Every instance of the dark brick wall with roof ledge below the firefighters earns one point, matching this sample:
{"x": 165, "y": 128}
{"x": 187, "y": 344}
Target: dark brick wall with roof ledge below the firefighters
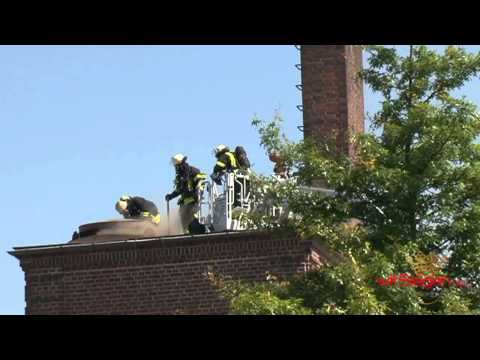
{"x": 156, "y": 276}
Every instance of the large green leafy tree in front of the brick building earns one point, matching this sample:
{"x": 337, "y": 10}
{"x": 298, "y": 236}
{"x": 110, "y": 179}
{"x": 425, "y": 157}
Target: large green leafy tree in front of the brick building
{"x": 414, "y": 187}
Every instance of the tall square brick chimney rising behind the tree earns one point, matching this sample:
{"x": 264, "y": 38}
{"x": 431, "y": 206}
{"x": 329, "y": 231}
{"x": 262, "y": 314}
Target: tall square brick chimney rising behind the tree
{"x": 333, "y": 106}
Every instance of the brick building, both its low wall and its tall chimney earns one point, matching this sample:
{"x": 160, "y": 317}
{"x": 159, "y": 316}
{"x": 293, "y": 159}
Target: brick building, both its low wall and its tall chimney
{"x": 166, "y": 275}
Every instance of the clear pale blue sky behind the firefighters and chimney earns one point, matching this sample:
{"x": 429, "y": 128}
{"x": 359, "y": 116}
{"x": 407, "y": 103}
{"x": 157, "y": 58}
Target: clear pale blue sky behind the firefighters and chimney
{"x": 82, "y": 125}
